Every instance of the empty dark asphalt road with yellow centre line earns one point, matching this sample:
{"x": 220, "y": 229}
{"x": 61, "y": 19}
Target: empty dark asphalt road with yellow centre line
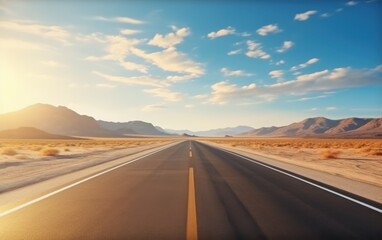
{"x": 193, "y": 191}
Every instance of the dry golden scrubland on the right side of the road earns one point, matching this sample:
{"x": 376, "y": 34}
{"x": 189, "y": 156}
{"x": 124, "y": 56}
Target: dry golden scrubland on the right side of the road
{"x": 357, "y": 159}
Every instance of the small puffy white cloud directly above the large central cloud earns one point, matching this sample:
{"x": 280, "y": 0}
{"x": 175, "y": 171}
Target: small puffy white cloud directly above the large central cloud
{"x": 171, "y": 39}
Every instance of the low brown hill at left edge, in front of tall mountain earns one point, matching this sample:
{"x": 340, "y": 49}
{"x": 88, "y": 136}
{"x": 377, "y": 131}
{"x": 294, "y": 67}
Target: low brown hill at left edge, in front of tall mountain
{"x": 30, "y": 133}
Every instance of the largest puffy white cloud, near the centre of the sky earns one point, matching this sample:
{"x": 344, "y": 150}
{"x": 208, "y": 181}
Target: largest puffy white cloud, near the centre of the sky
{"x": 171, "y": 60}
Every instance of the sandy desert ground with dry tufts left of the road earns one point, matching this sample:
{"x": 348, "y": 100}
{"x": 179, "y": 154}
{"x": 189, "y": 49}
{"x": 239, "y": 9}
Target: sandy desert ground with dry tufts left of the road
{"x": 24, "y": 162}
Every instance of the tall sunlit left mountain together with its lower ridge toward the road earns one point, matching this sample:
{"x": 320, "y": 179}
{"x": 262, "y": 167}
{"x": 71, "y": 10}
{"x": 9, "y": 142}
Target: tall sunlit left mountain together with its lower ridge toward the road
{"x": 64, "y": 121}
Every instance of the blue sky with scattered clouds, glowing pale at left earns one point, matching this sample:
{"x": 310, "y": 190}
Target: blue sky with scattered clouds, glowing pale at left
{"x": 194, "y": 65}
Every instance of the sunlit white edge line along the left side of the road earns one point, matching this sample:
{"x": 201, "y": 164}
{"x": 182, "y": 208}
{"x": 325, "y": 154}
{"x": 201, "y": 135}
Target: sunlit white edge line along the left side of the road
{"x": 74, "y": 184}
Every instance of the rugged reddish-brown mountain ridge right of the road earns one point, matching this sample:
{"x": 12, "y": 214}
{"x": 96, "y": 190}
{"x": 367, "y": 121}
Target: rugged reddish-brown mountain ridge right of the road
{"x": 320, "y": 126}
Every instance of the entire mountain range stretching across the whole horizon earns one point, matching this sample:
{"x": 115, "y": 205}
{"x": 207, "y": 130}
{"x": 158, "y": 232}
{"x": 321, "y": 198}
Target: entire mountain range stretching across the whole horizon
{"x": 47, "y": 121}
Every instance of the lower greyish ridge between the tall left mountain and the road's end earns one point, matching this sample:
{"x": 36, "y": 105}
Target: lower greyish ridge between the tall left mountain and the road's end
{"x": 131, "y": 127}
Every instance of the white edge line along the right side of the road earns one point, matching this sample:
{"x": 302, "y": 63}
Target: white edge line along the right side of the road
{"x": 305, "y": 181}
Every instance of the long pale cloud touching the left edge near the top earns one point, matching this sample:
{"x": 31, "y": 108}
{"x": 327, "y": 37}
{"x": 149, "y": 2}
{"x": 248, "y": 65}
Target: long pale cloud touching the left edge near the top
{"x": 53, "y": 32}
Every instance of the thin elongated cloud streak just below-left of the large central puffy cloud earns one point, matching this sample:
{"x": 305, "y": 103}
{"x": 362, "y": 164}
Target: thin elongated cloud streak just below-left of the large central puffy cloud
{"x": 140, "y": 80}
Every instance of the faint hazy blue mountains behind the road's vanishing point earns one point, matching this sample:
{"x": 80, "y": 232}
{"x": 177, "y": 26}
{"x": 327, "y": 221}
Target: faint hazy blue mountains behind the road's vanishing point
{"x": 219, "y": 132}
